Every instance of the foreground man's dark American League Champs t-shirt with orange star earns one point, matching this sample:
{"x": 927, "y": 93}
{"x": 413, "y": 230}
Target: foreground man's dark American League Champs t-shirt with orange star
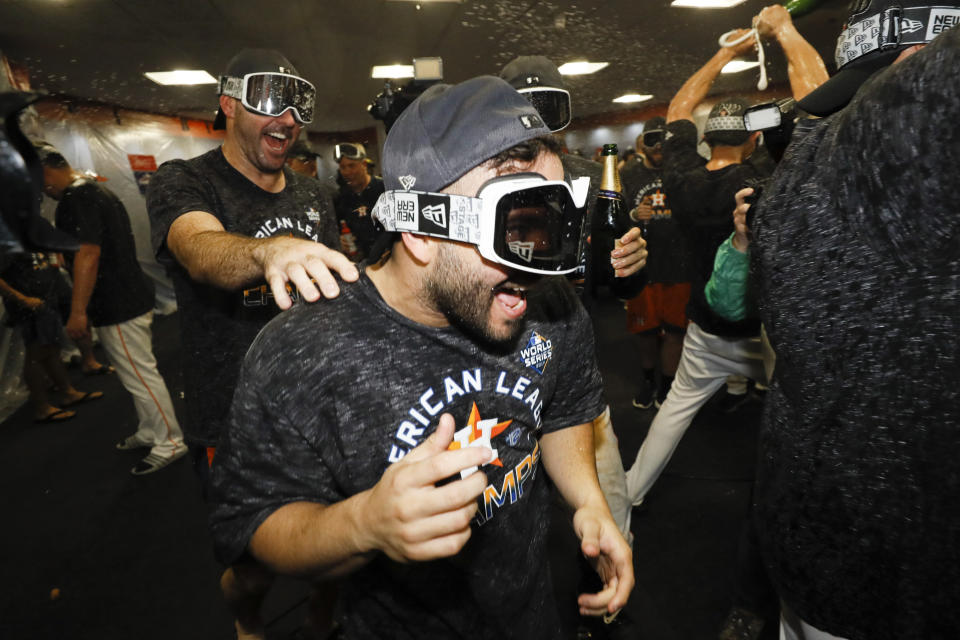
{"x": 332, "y": 393}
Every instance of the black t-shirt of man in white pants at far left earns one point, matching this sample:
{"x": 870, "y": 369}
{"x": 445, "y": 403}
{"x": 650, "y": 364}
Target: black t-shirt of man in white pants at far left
{"x": 94, "y": 215}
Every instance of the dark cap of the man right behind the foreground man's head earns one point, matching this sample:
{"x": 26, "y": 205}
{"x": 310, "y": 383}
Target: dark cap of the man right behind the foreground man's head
{"x": 538, "y": 80}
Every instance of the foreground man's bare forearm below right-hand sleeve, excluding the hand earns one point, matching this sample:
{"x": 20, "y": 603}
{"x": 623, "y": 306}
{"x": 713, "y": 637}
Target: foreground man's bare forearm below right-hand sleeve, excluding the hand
{"x": 568, "y": 456}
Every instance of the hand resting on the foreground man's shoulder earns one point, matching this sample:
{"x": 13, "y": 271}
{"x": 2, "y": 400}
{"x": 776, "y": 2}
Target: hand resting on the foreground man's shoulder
{"x": 301, "y": 263}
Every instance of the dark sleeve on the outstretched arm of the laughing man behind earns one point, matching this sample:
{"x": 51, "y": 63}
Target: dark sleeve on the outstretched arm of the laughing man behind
{"x": 175, "y": 190}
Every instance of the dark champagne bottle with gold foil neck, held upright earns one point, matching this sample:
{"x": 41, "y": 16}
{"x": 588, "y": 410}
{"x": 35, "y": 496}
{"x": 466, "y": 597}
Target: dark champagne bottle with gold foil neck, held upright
{"x": 610, "y": 221}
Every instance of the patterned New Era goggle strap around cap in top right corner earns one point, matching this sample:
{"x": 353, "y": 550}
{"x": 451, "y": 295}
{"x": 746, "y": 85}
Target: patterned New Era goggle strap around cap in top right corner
{"x": 892, "y": 28}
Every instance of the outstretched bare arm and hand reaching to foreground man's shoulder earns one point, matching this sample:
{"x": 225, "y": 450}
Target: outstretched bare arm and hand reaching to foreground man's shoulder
{"x": 212, "y": 255}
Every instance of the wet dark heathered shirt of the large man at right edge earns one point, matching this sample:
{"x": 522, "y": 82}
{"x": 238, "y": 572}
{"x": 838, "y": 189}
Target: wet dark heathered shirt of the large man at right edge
{"x": 856, "y": 244}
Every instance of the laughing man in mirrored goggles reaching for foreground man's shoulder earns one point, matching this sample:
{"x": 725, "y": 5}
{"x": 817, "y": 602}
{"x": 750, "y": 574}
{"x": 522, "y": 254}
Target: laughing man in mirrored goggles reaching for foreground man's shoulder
{"x": 242, "y": 234}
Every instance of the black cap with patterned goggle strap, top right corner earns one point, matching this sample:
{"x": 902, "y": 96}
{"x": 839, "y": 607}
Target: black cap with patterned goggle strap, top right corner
{"x": 876, "y": 32}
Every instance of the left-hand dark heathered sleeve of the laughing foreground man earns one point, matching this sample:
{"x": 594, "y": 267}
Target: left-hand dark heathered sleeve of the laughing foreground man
{"x": 263, "y": 460}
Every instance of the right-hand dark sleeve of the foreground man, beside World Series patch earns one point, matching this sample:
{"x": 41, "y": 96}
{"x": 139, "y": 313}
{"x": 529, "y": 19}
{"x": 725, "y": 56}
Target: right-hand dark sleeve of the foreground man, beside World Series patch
{"x": 579, "y": 394}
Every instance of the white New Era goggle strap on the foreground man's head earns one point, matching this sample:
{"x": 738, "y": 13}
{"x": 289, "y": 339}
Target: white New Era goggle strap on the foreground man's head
{"x": 459, "y": 215}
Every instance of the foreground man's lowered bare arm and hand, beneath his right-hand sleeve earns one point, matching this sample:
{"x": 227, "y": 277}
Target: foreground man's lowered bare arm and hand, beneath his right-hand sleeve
{"x": 568, "y": 457}
